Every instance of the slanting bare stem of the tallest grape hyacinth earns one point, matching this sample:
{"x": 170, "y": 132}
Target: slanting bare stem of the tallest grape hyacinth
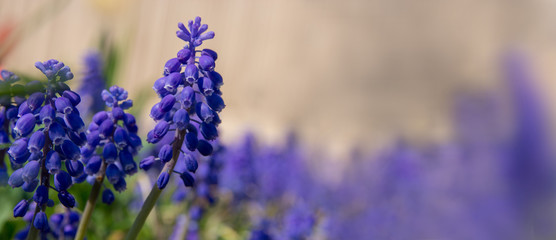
{"x": 155, "y": 192}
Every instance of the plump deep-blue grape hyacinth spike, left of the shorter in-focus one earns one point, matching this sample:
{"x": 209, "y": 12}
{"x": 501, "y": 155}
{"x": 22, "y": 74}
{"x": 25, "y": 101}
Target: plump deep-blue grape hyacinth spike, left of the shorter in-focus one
{"x": 48, "y": 133}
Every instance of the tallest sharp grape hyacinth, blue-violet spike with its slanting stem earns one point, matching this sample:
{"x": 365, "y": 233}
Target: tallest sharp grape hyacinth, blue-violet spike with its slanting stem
{"x": 190, "y": 101}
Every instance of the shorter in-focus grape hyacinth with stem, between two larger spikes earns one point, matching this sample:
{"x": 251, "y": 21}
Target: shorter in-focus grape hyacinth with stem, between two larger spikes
{"x": 114, "y": 134}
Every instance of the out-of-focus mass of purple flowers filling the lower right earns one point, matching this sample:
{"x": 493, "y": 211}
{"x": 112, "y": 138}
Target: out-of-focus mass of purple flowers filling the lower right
{"x": 491, "y": 181}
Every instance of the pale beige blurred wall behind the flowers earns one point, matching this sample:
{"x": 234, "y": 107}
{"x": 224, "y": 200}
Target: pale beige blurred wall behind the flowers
{"x": 340, "y": 72}
